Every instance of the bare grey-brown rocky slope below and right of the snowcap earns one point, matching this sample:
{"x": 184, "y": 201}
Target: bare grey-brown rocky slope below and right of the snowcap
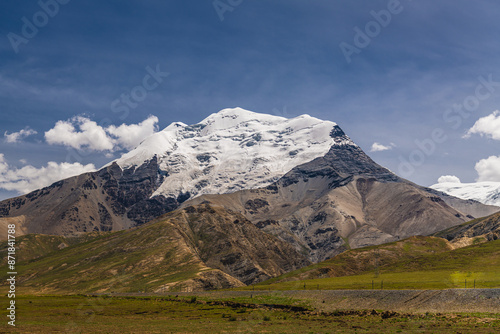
{"x": 340, "y": 201}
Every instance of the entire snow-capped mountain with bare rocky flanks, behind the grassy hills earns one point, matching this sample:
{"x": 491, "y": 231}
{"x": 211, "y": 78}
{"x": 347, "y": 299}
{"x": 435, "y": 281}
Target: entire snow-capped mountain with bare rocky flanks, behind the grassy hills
{"x": 302, "y": 180}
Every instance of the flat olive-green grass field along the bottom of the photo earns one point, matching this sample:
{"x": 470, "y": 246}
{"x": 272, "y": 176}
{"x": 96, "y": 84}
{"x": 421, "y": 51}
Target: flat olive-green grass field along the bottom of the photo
{"x": 271, "y": 314}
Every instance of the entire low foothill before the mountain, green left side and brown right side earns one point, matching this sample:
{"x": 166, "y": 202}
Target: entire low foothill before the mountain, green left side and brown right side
{"x": 196, "y": 248}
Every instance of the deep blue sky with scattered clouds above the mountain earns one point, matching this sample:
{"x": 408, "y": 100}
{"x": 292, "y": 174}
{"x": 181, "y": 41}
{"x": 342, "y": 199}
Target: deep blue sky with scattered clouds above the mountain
{"x": 280, "y": 57}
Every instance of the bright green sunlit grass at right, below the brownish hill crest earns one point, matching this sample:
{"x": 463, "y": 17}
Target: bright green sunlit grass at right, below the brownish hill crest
{"x": 474, "y": 266}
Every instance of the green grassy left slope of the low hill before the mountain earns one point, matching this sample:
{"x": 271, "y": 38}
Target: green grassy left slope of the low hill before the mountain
{"x": 115, "y": 262}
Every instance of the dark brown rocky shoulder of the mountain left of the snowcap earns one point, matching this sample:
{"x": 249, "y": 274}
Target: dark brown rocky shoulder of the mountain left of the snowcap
{"x": 108, "y": 200}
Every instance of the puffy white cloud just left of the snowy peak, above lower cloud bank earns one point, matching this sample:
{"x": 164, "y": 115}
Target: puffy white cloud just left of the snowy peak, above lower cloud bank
{"x": 81, "y": 132}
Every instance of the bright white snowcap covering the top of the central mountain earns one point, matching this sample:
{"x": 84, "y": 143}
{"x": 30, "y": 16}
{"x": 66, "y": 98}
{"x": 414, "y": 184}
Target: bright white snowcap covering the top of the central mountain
{"x": 233, "y": 149}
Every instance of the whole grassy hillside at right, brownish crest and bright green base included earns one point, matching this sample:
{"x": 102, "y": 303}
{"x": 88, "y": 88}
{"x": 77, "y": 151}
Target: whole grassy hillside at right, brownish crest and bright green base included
{"x": 436, "y": 267}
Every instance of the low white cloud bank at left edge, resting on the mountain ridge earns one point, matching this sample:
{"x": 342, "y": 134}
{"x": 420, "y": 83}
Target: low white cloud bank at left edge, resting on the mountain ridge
{"x": 28, "y": 178}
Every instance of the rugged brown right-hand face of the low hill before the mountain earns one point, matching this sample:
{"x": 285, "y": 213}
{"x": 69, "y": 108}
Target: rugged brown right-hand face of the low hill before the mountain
{"x": 227, "y": 241}
